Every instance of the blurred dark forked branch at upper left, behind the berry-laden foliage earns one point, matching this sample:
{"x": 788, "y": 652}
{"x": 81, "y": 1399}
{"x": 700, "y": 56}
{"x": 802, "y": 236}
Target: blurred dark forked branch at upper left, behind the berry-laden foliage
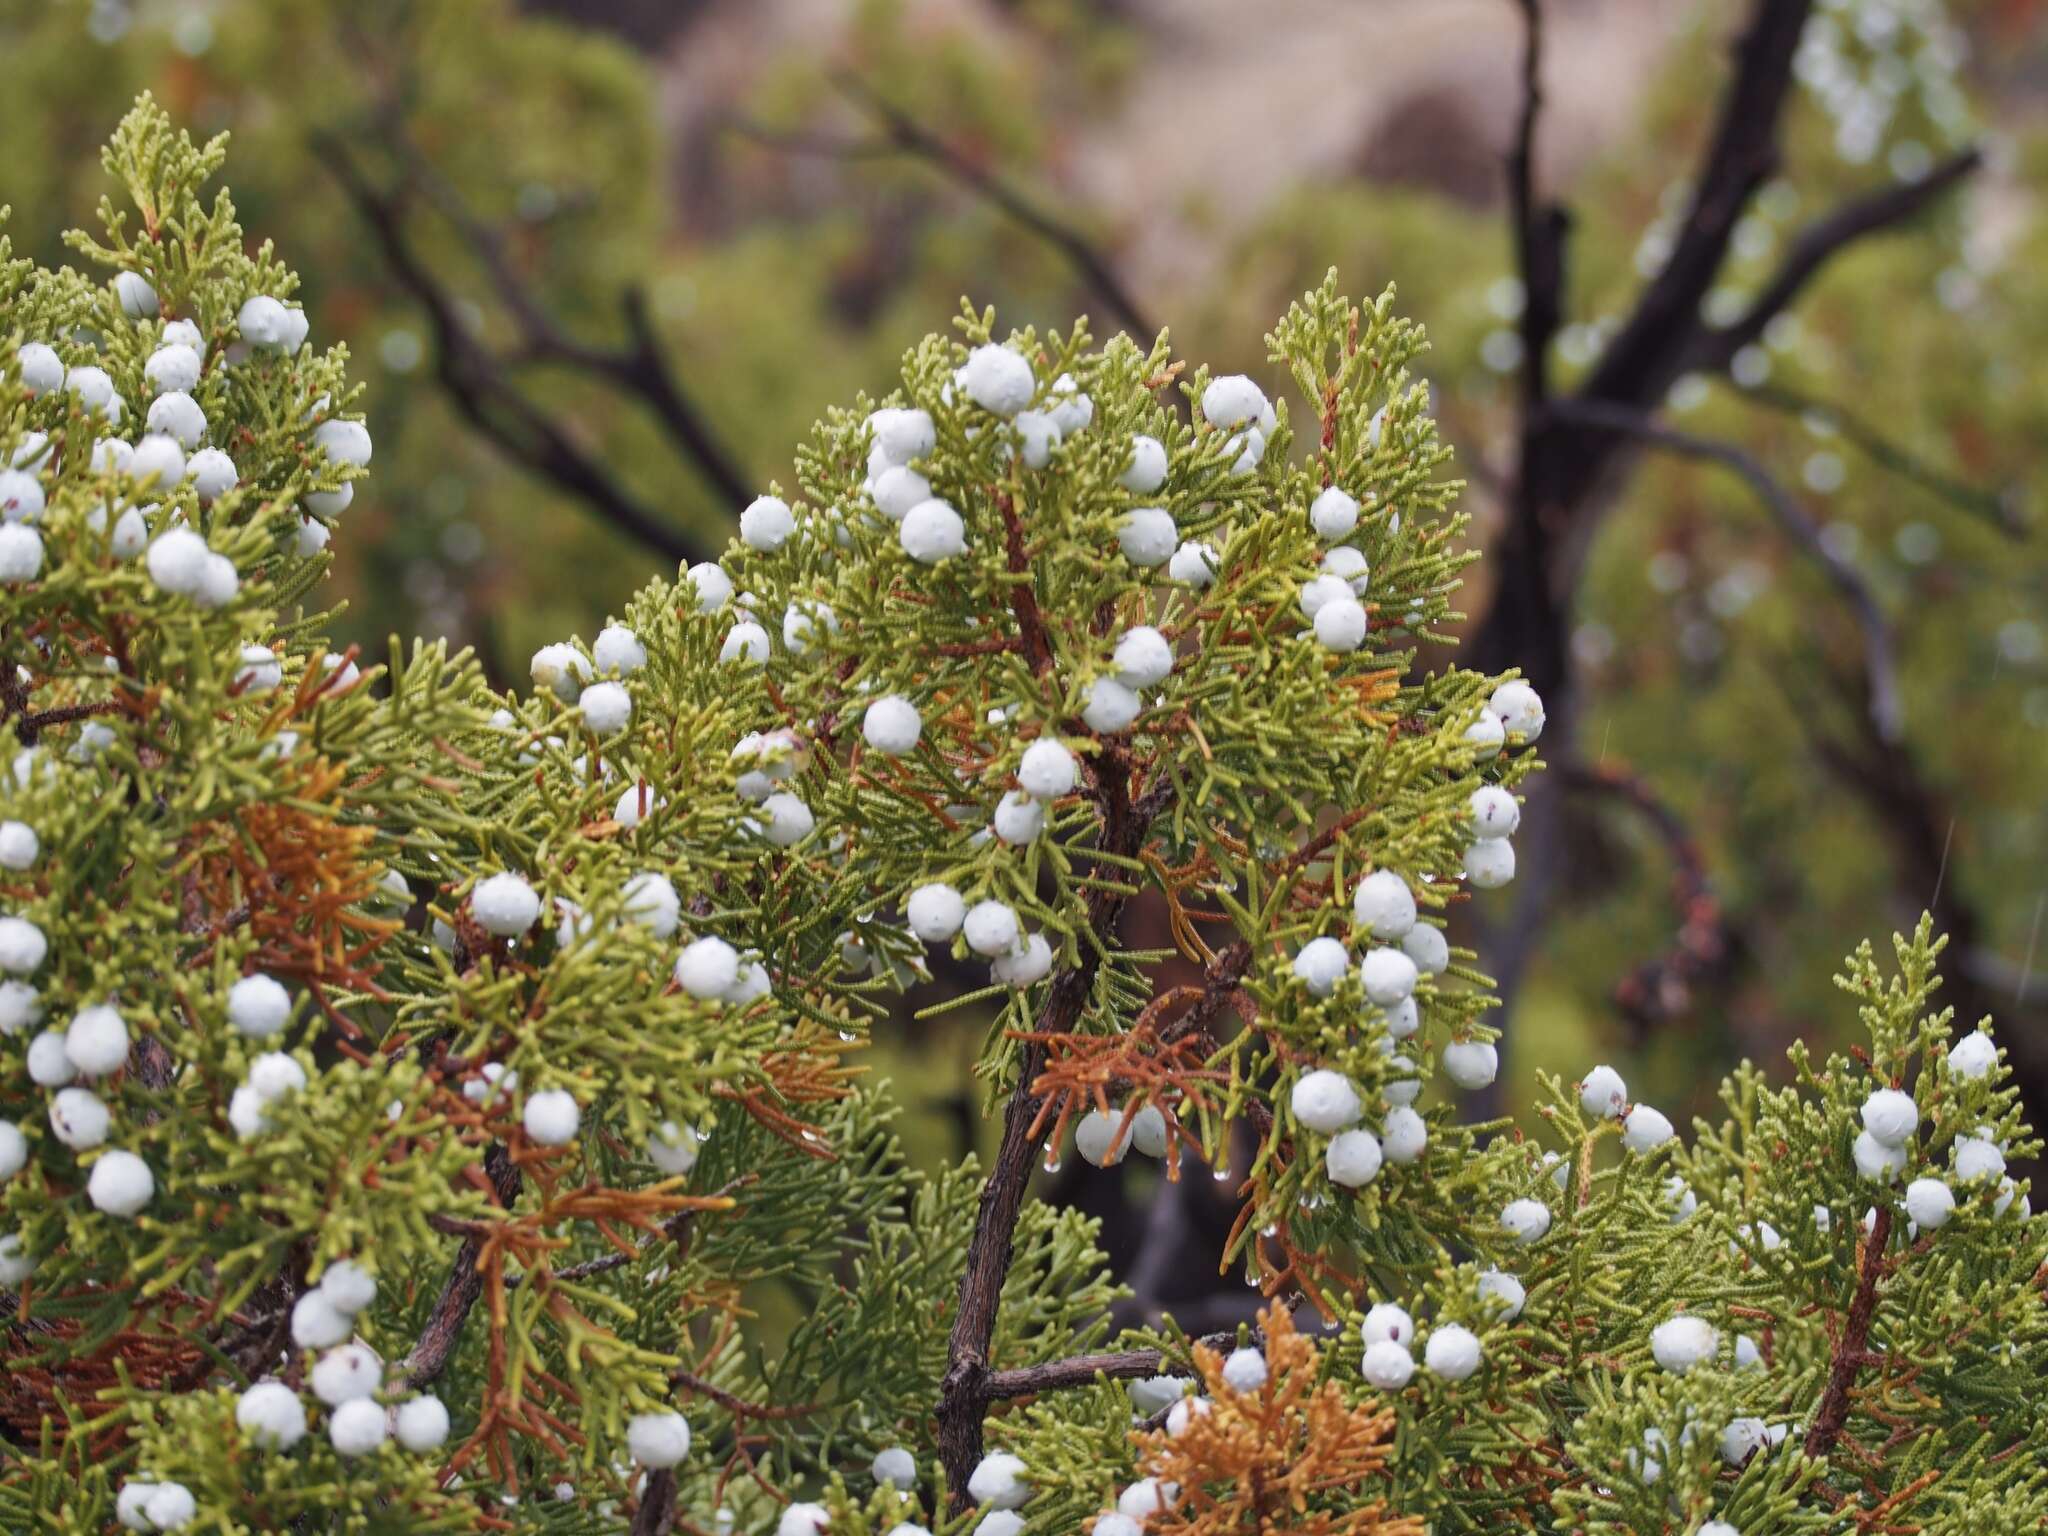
{"x": 484, "y": 390}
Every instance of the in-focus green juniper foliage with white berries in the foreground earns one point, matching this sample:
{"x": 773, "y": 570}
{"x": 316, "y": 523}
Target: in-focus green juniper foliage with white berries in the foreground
{"x": 409, "y": 1095}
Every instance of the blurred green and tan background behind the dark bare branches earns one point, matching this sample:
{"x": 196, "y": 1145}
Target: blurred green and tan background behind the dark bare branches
{"x": 728, "y": 163}
